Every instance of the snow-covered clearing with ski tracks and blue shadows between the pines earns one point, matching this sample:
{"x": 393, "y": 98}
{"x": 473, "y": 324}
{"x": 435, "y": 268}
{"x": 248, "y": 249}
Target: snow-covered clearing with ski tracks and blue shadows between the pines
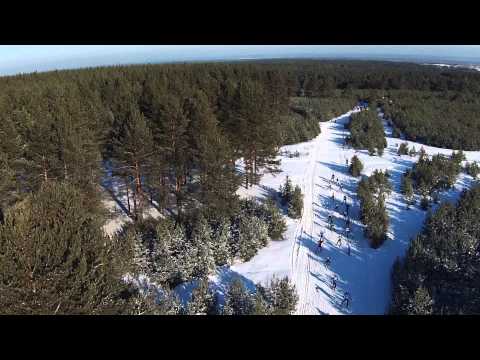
{"x": 364, "y": 274}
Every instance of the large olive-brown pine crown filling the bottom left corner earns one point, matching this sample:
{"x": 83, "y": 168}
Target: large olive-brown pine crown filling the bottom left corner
{"x": 55, "y": 258}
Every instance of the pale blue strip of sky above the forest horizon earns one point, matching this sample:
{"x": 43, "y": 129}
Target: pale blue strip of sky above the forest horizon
{"x": 16, "y": 59}
